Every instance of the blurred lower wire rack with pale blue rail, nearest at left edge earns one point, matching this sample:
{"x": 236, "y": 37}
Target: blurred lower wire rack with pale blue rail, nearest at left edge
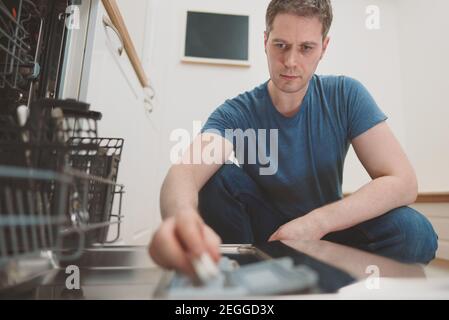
{"x": 32, "y": 207}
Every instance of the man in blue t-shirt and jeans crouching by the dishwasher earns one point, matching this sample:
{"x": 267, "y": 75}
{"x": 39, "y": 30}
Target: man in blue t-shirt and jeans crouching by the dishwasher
{"x": 317, "y": 118}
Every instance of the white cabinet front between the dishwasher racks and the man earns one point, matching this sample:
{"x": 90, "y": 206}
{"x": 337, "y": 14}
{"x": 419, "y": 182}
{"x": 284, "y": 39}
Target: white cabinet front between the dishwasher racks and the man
{"x": 111, "y": 86}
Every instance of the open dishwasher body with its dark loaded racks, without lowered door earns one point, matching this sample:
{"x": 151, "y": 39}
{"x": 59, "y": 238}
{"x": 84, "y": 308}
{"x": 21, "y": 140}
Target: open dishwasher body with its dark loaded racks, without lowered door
{"x": 59, "y": 195}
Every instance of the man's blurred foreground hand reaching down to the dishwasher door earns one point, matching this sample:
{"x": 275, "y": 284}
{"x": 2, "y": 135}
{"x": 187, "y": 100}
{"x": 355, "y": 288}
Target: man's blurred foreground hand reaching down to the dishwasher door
{"x": 181, "y": 238}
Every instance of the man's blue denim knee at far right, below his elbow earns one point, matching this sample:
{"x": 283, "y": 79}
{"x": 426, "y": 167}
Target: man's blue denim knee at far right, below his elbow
{"x": 408, "y": 233}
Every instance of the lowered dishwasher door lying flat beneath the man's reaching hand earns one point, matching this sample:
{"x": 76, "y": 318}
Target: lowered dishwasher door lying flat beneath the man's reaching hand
{"x": 253, "y": 271}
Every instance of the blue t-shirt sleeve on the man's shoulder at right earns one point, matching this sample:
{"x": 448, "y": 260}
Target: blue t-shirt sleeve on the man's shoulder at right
{"x": 363, "y": 113}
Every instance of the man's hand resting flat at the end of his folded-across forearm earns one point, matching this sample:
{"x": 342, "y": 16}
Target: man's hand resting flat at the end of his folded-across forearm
{"x": 304, "y": 228}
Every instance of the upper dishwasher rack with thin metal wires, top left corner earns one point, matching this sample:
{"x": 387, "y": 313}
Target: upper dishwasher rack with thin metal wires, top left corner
{"x": 33, "y": 44}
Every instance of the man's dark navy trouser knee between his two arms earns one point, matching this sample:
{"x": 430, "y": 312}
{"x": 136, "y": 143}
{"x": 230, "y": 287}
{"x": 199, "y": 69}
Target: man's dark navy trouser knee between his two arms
{"x": 234, "y": 205}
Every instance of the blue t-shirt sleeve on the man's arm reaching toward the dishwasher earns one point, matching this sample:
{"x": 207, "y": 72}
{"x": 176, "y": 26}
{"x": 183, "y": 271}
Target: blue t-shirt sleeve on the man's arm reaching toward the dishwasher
{"x": 224, "y": 118}
